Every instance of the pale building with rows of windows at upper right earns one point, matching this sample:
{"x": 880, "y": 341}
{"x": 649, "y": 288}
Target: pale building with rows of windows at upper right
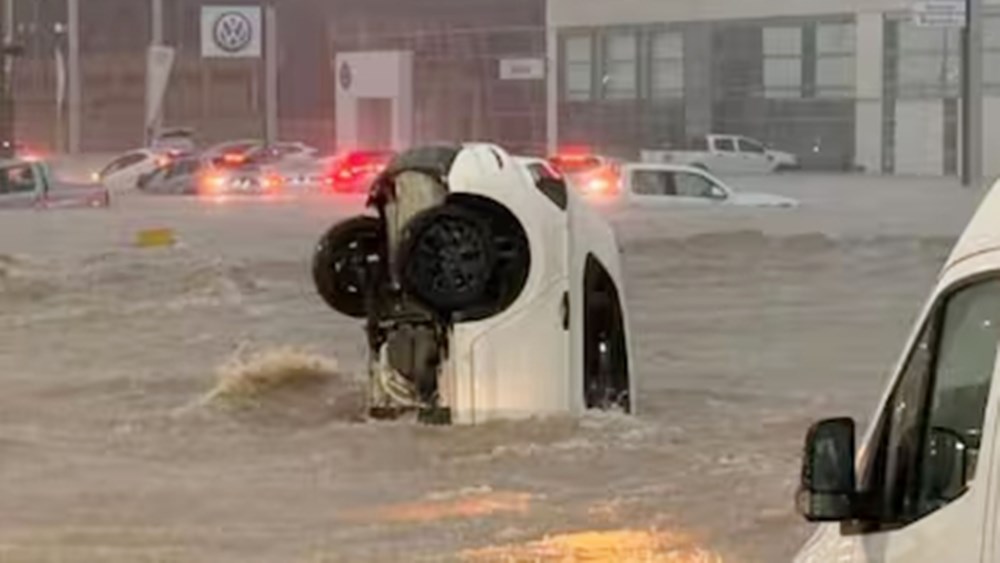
{"x": 846, "y": 84}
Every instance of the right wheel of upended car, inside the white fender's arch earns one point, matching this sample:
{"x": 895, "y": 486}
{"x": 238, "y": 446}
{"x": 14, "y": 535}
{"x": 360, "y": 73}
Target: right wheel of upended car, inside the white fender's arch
{"x": 447, "y": 259}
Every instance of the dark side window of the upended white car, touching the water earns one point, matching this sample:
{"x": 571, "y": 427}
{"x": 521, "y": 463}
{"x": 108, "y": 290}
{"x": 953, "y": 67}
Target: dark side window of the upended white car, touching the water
{"x": 606, "y": 366}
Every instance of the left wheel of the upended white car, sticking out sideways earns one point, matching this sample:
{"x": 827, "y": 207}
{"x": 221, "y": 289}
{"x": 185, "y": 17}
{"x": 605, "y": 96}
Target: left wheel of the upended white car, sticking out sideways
{"x": 340, "y": 260}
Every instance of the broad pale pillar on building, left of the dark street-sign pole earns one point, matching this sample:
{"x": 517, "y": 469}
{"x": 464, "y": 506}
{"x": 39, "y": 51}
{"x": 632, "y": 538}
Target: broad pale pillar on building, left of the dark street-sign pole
{"x": 868, "y": 84}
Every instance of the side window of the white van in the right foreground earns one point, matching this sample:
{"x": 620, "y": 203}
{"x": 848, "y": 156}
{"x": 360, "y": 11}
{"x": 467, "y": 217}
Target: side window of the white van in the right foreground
{"x": 937, "y": 410}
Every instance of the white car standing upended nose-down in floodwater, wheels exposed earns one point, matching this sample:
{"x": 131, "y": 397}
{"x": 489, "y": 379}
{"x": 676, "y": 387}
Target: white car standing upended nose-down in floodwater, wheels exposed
{"x": 489, "y": 291}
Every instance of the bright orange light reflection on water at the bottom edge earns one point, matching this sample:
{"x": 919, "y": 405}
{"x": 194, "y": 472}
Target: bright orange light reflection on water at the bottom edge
{"x": 615, "y": 546}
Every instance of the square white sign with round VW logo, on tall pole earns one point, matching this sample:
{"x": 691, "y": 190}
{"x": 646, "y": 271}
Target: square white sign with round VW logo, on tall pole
{"x": 231, "y": 31}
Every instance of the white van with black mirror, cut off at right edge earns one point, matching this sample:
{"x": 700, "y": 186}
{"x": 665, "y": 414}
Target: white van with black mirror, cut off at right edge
{"x": 925, "y": 486}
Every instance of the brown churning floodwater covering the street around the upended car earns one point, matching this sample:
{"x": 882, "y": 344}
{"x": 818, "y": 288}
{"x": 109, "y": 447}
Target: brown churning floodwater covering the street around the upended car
{"x": 200, "y": 403}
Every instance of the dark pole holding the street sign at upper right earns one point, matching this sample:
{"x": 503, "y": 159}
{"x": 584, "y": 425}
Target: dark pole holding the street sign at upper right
{"x": 972, "y": 94}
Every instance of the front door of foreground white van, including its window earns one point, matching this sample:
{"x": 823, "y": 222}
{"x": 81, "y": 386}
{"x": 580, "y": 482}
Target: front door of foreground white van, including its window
{"x": 925, "y": 471}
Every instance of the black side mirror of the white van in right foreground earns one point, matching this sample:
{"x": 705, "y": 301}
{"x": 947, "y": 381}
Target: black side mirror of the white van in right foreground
{"x": 828, "y": 485}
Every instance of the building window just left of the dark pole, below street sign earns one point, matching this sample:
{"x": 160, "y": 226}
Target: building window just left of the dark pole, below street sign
{"x": 928, "y": 61}
